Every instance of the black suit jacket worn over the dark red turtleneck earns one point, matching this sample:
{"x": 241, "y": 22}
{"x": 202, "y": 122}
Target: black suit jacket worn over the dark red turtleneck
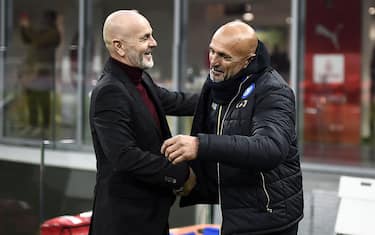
{"x": 133, "y": 192}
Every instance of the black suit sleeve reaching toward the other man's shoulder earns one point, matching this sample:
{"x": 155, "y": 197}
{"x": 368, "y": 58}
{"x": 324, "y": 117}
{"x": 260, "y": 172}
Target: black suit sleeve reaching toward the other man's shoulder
{"x": 177, "y": 103}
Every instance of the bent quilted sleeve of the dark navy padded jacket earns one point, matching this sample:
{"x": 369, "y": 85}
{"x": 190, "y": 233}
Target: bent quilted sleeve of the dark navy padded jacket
{"x": 270, "y": 138}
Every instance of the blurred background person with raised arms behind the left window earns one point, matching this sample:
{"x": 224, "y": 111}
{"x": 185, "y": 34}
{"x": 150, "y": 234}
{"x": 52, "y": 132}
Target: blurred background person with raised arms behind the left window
{"x": 38, "y": 72}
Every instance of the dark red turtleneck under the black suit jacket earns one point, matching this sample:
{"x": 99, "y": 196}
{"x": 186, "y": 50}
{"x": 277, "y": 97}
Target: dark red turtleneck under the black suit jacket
{"x": 135, "y": 74}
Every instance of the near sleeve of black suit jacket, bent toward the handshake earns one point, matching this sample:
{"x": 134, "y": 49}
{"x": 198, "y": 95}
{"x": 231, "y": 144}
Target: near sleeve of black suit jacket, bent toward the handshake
{"x": 112, "y": 123}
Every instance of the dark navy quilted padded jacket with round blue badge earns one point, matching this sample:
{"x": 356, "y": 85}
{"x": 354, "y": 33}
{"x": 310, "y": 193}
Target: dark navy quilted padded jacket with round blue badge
{"x": 248, "y": 159}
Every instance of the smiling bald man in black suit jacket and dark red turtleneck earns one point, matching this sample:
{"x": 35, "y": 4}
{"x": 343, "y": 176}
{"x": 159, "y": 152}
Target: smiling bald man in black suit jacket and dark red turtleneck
{"x": 135, "y": 184}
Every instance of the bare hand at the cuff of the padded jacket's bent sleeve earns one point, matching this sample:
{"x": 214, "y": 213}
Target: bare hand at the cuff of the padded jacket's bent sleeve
{"x": 180, "y": 148}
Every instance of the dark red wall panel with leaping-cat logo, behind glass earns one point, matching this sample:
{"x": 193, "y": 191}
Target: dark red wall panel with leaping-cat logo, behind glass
{"x": 336, "y": 118}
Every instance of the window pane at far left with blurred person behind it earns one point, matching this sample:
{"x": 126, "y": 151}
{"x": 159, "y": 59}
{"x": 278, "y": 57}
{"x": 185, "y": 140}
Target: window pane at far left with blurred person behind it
{"x": 39, "y": 83}
